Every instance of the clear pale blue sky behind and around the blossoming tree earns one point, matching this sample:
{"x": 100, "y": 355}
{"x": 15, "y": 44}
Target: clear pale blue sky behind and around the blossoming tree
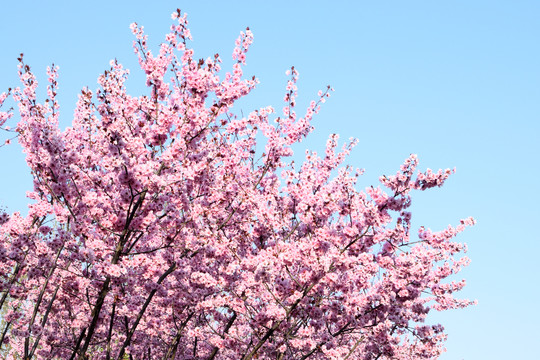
{"x": 456, "y": 82}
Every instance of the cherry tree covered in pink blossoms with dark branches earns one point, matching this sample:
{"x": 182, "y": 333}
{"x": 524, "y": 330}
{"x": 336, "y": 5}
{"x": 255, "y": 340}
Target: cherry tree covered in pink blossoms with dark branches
{"x": 164, "y": 226}
